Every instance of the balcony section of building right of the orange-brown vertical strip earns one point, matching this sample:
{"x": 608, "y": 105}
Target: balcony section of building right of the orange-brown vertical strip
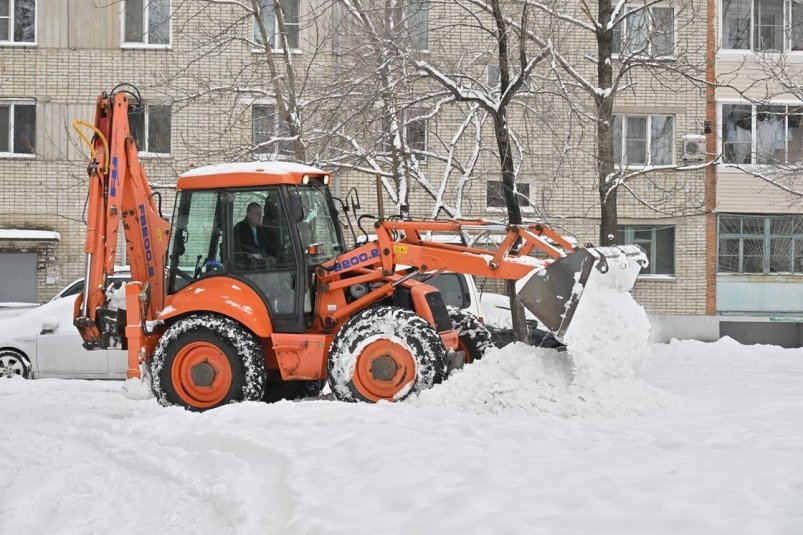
{"x": 759, "y": 266}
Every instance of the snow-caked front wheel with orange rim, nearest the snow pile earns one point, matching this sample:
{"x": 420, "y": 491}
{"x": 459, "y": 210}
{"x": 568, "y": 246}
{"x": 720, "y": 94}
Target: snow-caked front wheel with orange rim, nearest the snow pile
{"x": 408, "y": 334}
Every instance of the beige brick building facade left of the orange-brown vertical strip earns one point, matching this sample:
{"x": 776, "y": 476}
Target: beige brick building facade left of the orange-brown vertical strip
{"x": 56, "y": 56}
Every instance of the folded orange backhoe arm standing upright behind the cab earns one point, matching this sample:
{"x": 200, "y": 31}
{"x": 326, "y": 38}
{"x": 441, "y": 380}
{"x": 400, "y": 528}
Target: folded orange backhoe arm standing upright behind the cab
{"x": 119, "y": 192}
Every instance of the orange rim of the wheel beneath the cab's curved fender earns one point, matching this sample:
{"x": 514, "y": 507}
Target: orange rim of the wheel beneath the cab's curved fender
{"x": 201, "y": 374}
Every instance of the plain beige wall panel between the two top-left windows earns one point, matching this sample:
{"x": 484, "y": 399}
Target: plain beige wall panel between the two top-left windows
{"x": 94, "y": 25}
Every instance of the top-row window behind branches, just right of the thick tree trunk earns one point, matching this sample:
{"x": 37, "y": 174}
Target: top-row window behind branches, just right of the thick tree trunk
{"x": 646, "y": 32}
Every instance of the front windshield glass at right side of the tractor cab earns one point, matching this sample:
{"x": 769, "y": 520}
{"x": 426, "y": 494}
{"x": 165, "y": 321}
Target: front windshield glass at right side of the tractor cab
{"x": 318, "y": 224}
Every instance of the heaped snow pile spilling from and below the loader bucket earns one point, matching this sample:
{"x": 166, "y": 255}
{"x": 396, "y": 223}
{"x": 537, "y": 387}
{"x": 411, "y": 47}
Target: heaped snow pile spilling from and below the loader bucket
{"x": 607, "y": 338}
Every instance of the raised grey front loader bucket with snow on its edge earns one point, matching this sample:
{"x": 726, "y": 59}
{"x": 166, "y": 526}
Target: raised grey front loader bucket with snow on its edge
{"x": 552, "y": 293}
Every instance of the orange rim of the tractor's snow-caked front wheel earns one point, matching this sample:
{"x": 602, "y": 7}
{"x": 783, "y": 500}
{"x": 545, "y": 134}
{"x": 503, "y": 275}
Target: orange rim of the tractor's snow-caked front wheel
{"x": 383, "y": 369}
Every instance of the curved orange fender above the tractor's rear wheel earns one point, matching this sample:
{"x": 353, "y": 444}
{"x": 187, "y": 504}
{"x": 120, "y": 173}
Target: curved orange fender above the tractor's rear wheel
{"x": 225, "y": 296}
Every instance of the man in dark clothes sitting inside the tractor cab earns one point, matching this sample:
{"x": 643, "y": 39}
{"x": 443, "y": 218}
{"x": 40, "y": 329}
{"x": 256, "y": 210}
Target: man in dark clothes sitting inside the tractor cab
{"x": 254, "y": 247}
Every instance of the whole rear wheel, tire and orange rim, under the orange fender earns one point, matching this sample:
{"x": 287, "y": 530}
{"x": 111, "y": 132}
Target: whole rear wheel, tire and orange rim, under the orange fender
{"x": 227, "y": 343}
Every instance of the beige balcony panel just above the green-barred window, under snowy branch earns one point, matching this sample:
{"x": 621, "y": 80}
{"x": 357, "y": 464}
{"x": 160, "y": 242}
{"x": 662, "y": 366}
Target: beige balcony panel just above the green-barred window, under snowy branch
{"x": 742, "y": 193}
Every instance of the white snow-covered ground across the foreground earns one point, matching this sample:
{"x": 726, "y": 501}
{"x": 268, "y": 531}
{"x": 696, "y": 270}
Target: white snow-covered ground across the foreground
{"x": 708, "y": 438}
